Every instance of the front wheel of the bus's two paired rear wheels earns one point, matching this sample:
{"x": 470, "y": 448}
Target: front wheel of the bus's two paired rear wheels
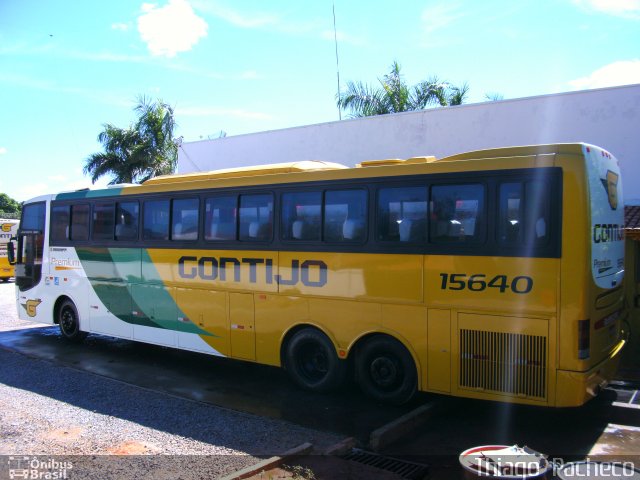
{"x": 311, "y": 361}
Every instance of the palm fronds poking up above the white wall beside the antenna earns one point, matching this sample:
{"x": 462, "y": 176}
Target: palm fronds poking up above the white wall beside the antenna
{"x": 394, "y": 95}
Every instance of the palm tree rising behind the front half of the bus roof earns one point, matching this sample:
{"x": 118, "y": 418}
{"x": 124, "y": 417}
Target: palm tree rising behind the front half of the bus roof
{"x": 142, "y": 151}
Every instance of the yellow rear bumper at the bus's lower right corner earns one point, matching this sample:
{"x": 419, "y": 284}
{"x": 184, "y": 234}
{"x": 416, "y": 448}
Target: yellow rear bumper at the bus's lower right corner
{"x": 576, "y": 388}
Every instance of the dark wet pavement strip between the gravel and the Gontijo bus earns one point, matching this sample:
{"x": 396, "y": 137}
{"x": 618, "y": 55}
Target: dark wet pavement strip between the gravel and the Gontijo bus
{"x": 240, "y": 386}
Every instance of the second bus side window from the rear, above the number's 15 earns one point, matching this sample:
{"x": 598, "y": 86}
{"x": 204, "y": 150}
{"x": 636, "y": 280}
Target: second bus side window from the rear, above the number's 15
{"x": 457, "y": 213}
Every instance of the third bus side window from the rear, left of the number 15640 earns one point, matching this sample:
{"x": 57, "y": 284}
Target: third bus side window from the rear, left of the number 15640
{"x": 402, "y": 214}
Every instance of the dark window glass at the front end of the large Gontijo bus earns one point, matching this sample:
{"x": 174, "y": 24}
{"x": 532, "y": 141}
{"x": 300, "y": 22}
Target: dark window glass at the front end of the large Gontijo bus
{"x": 28, "y": 271}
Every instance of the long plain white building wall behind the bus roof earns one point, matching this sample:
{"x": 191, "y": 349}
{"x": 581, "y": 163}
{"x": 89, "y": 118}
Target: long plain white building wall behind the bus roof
{"x": 609, "y": 118}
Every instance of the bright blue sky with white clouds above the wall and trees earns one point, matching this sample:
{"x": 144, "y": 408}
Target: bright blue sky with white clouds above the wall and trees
{"x": 67, "y": 67}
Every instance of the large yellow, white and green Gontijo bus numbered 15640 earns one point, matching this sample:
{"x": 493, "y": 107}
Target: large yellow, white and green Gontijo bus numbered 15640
{"x": 493, "y": 274}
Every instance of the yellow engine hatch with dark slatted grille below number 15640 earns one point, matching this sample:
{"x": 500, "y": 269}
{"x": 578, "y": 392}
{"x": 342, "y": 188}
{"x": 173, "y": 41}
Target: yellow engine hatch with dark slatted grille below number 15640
{"x": 504, "y": 362}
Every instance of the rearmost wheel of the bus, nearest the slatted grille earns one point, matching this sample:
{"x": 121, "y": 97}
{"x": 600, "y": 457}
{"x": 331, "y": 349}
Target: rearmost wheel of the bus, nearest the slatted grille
{"x": 385, "y": 370}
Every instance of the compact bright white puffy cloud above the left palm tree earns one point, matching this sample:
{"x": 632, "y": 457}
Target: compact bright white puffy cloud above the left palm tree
{"x": 171, "y": 29}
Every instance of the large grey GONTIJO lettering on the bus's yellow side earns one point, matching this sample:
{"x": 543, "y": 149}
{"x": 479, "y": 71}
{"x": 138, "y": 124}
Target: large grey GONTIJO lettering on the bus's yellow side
{"x": 311, "y": 273}
